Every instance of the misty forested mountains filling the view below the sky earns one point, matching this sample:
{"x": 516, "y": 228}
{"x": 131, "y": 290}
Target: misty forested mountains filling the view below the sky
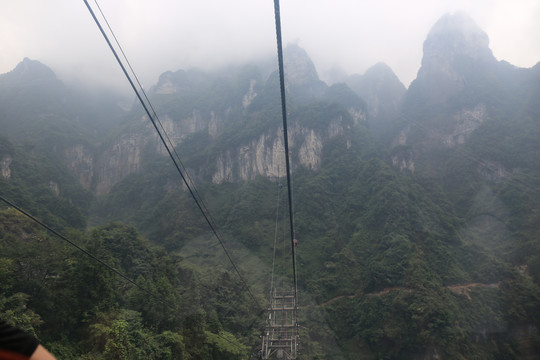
{"x": 416, "y": 213}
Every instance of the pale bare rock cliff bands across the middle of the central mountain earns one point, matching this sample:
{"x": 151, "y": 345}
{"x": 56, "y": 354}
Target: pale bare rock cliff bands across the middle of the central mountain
{"x": 261, "y": 156}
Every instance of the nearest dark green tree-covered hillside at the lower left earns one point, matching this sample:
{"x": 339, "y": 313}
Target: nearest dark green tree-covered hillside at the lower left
{"x": 79, "y": 309}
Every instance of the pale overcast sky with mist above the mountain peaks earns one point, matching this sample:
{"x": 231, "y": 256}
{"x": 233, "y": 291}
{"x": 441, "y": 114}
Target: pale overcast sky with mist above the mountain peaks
{"x": 161, "y": 35}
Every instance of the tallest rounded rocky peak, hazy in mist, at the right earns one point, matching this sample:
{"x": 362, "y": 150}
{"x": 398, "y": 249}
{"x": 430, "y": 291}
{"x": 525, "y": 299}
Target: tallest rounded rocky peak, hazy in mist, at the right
{"x": 459, "y": 87}
